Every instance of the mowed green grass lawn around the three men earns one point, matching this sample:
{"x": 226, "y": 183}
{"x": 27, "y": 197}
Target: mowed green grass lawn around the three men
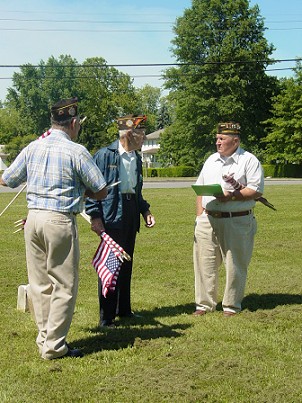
{"x": 168, "y": 355}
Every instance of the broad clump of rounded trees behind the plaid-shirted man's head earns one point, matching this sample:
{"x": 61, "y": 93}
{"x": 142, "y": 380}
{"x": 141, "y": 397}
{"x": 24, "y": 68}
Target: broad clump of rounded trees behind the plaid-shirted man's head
{"x": 103, "y": 94}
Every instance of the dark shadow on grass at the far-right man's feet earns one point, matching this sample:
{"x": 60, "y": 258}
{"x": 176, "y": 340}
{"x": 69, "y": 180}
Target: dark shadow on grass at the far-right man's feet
{"x": 253, "y": 302}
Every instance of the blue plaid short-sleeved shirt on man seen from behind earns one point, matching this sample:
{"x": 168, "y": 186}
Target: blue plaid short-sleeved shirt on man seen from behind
{"x": 57, "y": 172}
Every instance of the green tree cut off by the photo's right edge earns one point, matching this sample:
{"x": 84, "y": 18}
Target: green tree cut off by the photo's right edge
{"x": 284, "y": 141}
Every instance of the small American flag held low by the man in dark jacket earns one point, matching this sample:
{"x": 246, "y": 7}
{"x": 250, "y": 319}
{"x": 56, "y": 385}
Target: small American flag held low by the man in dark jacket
{"x": 107, "y": 262}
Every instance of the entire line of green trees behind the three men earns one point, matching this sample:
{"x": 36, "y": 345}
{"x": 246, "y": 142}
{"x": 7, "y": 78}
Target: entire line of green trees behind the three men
{"x": 222, "y": 56}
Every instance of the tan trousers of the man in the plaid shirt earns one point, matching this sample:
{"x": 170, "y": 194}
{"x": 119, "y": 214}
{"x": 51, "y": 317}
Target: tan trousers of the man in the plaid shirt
{"x": 52, "y": 254}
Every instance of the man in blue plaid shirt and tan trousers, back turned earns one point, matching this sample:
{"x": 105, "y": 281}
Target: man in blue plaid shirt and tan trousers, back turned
{"x": 59, "y": 174}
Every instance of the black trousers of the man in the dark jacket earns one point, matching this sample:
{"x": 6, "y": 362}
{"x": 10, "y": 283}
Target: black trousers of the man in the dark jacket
{"x": 118, "y": 303}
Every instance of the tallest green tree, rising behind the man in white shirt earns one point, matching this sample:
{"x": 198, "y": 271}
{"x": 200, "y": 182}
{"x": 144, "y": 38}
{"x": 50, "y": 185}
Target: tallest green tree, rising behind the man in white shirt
{"x": 222, "y": 56}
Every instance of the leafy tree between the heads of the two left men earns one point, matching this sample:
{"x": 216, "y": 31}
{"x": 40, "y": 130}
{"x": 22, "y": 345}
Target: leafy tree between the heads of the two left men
{"x": 107, "y": 94}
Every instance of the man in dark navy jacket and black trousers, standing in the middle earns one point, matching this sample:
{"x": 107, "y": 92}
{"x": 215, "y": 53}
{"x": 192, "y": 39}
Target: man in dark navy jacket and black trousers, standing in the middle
{"x": 119, "y": 213}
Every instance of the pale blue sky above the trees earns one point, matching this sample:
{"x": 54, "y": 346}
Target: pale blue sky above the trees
{"x": 122, "y": 32}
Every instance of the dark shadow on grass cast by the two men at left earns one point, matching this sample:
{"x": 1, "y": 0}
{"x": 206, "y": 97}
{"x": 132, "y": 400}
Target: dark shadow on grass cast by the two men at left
{"x": 135, "y": 332}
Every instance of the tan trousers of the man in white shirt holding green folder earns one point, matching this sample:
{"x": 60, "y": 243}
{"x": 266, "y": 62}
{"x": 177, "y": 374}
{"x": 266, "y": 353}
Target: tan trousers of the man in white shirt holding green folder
{"x": 217, "y": 240}
